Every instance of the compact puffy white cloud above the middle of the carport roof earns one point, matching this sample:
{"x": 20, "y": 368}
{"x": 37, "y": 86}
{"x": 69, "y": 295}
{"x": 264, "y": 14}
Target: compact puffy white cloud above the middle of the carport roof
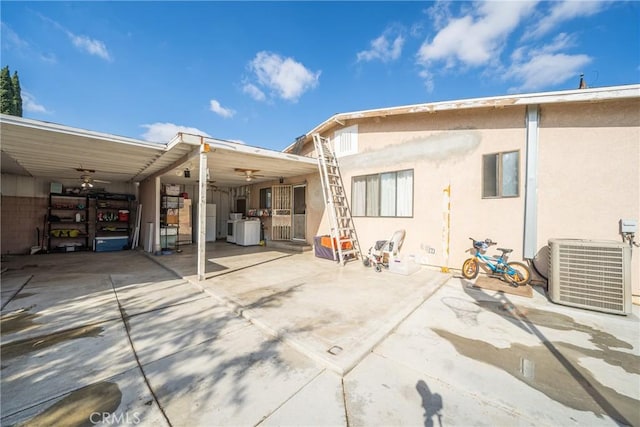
{"x": 285, "y": 77}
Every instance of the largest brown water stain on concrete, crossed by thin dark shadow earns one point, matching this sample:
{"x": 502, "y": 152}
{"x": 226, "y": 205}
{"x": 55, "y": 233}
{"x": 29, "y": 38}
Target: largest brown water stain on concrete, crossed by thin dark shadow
{"x": 553, "y": 369}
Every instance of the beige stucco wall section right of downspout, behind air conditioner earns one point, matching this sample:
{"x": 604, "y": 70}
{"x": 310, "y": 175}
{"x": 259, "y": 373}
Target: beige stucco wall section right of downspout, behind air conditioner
{"x": 589, "y": 173}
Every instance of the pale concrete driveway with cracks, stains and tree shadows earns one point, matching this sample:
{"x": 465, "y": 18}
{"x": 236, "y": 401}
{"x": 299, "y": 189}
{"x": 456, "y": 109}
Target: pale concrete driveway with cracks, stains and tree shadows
{"x": 279, "y": 338}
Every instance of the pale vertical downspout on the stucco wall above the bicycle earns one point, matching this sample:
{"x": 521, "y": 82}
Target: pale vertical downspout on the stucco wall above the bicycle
{"x": 530, "y": 245}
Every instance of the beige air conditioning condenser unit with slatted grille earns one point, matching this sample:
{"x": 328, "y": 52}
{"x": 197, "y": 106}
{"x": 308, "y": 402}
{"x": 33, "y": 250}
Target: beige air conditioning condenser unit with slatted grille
{"x": 592, "y": 274}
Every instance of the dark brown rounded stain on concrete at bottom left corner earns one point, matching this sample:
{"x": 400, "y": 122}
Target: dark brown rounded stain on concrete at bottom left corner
{"x": 84, "y": 407}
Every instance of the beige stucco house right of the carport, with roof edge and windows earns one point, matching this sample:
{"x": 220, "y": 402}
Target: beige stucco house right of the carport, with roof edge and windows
{"x": 518, "y": 169}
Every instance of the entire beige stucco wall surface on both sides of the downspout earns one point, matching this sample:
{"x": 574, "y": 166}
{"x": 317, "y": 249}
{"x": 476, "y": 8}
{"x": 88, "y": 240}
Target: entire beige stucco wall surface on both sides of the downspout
{"x": 588, "y": 176}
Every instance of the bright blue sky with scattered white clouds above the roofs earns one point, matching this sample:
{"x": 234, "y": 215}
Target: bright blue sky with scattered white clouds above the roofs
{"x": 263, "y": 73}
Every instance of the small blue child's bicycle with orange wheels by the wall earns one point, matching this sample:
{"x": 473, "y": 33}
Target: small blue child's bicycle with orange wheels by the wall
{"x": 514, "y": 272}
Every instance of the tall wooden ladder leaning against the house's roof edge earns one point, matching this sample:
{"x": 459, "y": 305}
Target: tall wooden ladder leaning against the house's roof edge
{"x": 343, "y": 231}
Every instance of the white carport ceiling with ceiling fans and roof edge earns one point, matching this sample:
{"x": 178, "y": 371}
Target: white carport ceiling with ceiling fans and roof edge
{"x": 51, "y": 151}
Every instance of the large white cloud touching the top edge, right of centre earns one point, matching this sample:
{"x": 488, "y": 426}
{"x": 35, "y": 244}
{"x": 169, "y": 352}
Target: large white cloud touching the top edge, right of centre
{"x": 477, "y": 38}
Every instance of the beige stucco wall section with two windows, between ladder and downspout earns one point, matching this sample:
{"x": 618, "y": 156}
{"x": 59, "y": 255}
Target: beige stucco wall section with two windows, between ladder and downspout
{"x": 443, "y": 149}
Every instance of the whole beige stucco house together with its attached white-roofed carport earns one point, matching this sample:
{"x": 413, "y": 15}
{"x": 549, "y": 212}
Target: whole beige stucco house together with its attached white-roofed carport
{"x": 519, "y": 169}
